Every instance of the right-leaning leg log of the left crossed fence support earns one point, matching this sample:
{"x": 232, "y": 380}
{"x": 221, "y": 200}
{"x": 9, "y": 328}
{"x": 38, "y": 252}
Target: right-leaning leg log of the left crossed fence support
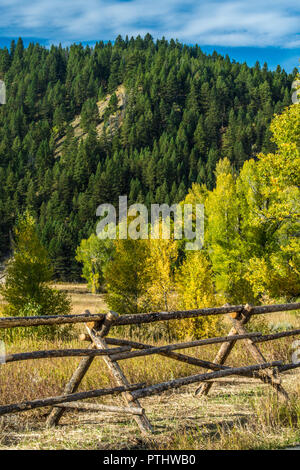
{"x": 116, "y": 371}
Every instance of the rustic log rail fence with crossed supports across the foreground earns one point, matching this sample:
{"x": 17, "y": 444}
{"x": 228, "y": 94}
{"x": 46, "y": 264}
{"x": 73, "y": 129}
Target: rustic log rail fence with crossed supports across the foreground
{"x": 114, "y": 350}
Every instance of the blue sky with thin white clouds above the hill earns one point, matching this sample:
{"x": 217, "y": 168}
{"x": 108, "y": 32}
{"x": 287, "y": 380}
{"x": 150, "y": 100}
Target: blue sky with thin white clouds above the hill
{"x": 264, "y": 30}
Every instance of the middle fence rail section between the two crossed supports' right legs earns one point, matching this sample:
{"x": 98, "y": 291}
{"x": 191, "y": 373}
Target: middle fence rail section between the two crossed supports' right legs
{"x": 189, "y": 344}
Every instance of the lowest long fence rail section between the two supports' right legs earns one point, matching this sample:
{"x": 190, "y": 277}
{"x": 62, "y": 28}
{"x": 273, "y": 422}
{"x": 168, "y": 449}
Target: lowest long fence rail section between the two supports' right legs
{"x": 176, "y": 383}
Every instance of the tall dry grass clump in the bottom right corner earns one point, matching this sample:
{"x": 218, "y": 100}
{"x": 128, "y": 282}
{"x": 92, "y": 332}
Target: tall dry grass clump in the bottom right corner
{"x": 274, "y": 424}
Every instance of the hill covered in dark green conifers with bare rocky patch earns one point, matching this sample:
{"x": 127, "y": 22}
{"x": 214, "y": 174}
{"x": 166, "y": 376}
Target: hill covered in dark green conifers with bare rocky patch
{"x": 183, "y": 110}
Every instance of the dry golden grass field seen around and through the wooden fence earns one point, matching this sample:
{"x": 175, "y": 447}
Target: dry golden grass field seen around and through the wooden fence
{"x": 239, "y": 413}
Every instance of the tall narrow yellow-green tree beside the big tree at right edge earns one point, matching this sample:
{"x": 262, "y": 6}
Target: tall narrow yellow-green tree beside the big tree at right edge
{"x": 226, "y": 246}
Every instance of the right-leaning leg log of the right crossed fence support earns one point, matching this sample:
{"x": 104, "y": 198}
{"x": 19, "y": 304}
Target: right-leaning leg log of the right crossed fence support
{"x": 272, "y": 376}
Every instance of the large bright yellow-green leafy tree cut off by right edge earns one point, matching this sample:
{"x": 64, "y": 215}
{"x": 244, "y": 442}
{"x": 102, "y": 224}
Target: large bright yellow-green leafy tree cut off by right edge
{"x": 274, "y": 208}
